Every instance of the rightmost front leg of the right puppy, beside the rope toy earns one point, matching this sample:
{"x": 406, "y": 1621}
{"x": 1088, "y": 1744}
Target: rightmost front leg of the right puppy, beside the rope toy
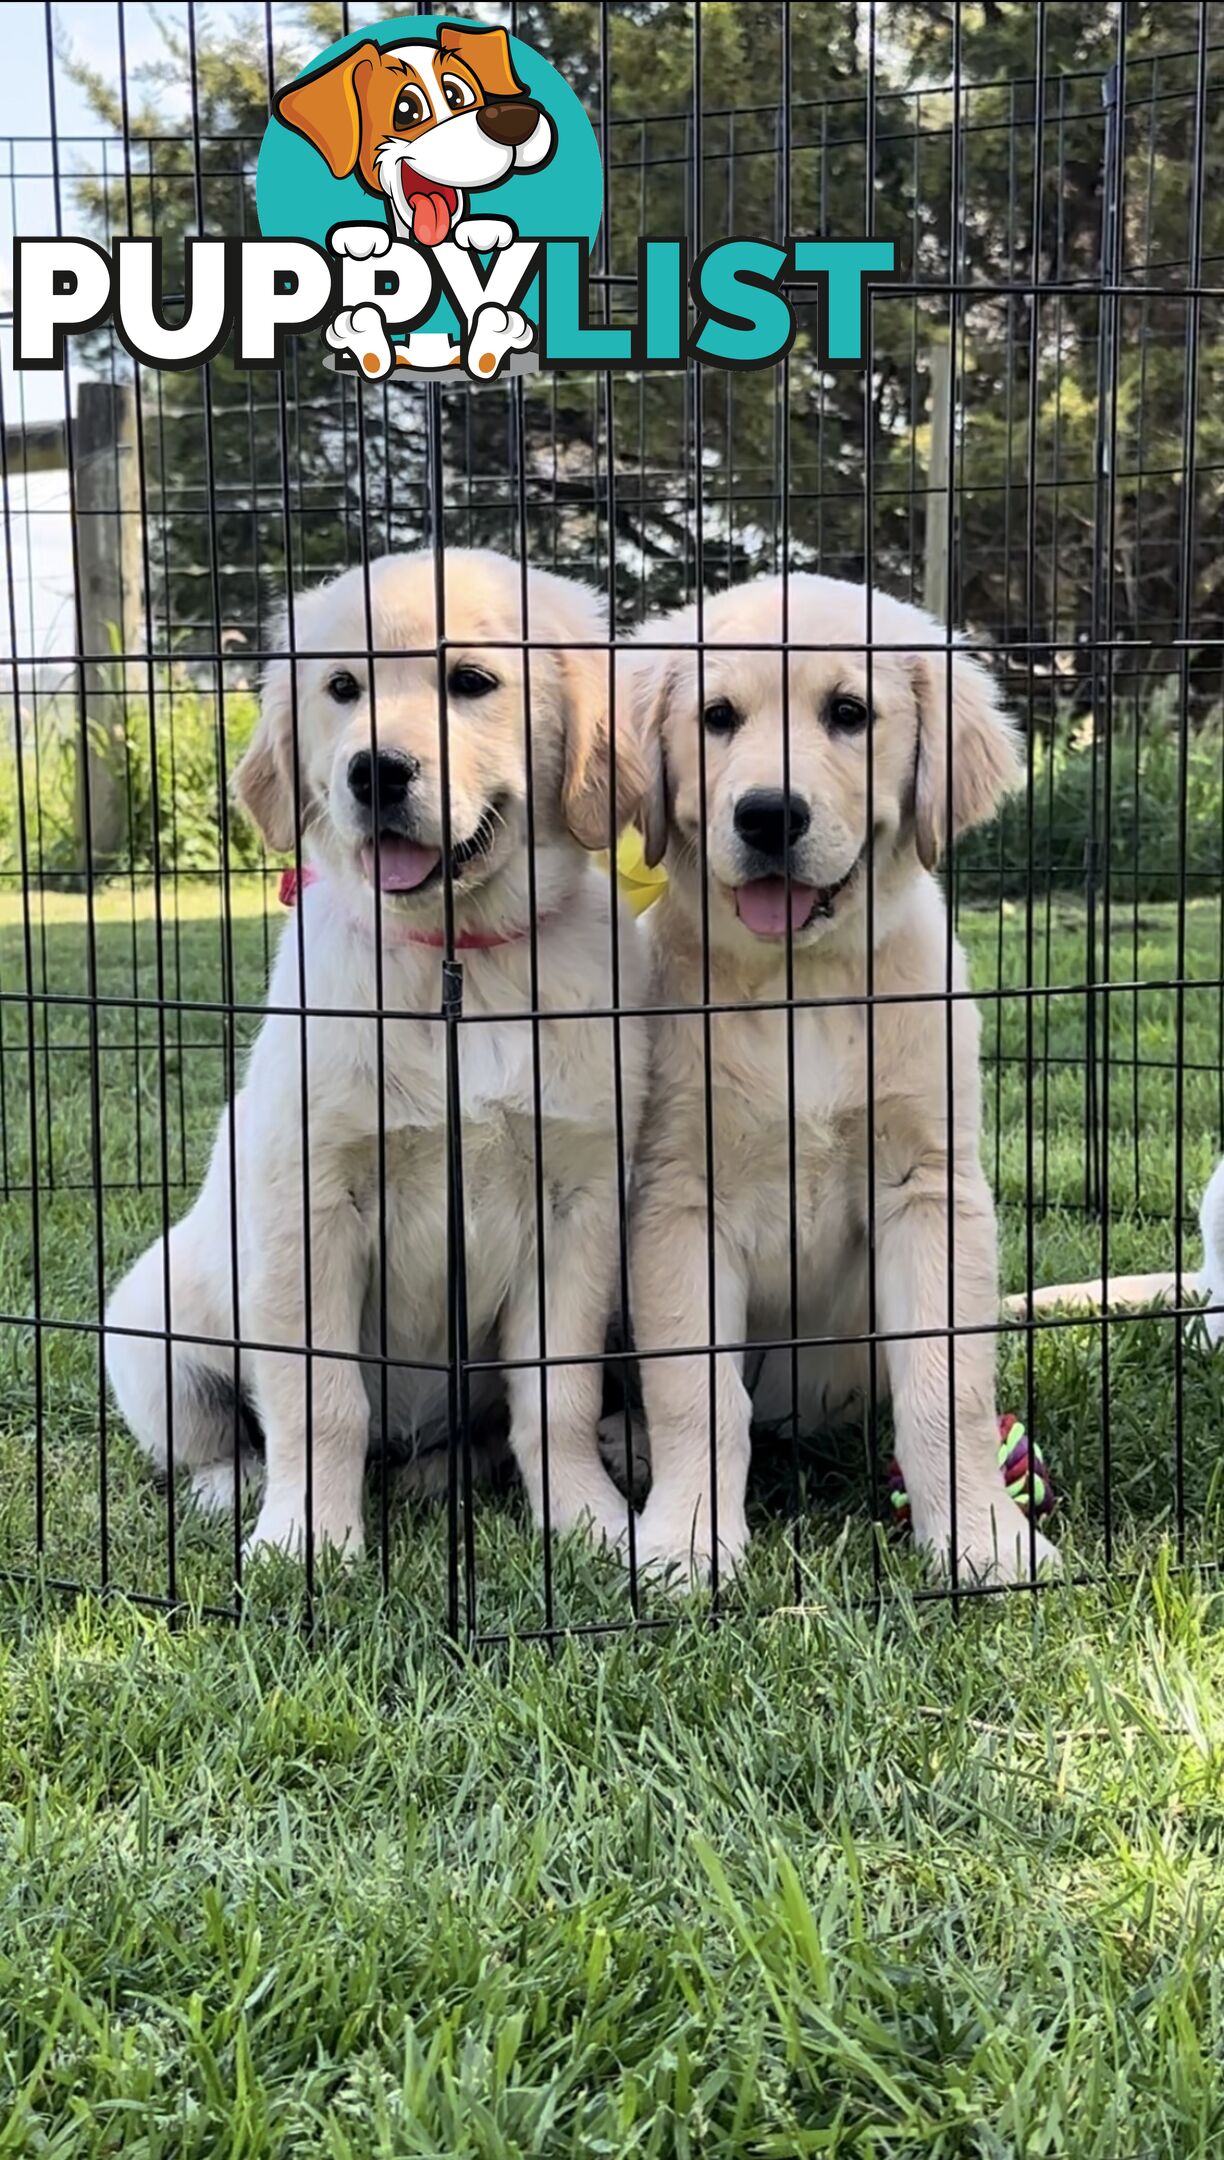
{"x": 992, "y": 1533}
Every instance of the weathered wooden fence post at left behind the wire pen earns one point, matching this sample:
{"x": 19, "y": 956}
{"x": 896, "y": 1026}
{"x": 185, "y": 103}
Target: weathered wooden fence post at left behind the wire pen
{"x": 111, "y": 610}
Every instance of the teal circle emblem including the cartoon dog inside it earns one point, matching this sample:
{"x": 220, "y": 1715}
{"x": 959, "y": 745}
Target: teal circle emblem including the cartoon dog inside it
{"x": 420, "y": 152}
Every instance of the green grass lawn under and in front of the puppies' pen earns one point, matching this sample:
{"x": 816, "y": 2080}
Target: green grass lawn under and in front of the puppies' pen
{"x": 849, "y": 1874}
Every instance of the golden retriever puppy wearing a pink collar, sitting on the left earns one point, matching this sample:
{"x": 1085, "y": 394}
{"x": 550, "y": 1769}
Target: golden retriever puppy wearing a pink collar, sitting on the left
{"x": 325, "y": 1247}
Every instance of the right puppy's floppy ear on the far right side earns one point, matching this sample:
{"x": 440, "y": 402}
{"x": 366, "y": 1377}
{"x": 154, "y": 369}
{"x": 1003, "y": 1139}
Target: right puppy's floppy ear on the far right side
{"x": 985, "y": 759}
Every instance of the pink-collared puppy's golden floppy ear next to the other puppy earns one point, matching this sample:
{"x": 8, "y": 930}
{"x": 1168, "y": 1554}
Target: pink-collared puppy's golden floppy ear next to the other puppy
{"x": 562, "y": 608}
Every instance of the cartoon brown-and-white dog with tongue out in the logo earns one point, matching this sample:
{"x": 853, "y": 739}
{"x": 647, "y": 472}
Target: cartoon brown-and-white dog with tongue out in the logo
{"x": 424, "y": 126}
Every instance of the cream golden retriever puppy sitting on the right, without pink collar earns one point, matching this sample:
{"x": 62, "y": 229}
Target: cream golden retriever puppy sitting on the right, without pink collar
{"x": 770, "y": 798}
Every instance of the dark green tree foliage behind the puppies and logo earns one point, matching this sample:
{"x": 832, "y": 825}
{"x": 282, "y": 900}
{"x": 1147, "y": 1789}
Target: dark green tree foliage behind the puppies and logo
{"x": 1055, "y": 375}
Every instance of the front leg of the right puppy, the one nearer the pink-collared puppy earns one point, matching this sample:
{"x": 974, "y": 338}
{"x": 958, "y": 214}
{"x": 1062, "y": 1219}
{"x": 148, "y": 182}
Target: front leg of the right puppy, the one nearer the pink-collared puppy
{"x": 670, "y": 1312}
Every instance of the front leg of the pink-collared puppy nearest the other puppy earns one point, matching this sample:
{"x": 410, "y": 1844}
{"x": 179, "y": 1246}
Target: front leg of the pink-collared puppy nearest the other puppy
{"x": 580, "y": 1254}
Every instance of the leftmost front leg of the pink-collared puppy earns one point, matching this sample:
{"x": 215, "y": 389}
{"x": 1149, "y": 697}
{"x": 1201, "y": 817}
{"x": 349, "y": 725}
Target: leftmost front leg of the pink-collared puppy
{"x": 318, "y": 1425}
